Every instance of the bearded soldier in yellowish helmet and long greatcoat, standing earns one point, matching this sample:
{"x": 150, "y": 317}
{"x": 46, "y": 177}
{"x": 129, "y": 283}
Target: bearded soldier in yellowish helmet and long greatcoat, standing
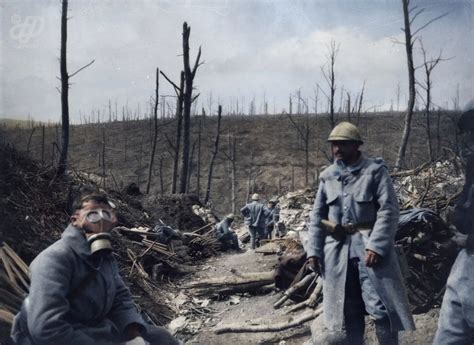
{"x": 358, "y": 262}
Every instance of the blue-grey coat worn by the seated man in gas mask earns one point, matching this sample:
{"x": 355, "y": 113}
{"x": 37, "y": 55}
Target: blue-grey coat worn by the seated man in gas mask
{"x": 98, "y": 315}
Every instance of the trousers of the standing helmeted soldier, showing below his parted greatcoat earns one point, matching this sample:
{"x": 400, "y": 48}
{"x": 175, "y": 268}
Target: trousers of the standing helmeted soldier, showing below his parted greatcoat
{"x": 361, "y": 297}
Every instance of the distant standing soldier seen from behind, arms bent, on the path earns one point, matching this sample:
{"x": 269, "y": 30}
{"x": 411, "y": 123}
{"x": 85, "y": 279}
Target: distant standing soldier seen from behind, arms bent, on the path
{"x": 254, "y": 217}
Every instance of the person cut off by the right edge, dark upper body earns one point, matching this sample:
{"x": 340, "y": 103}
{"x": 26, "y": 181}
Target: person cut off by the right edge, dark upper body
{"x": 456, "y": 320}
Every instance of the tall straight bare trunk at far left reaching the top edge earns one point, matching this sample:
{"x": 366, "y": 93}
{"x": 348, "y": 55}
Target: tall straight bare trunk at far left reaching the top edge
{"x": 62, "y": 164}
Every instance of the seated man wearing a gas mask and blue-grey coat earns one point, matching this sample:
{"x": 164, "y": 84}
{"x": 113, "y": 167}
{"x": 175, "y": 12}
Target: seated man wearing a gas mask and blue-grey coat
{"x": 77, "y": 295}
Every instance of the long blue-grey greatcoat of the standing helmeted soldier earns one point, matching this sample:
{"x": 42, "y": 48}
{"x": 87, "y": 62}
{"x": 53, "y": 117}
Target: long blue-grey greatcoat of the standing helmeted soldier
{"x": 365, "y": 195}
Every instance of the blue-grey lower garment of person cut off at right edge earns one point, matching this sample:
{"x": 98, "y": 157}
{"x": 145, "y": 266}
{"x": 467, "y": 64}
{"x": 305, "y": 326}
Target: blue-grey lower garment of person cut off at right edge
{"x": 456, "y": 319}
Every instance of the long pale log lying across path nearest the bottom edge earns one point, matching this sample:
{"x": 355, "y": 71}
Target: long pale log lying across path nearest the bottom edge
{"x": 256, "y": 326}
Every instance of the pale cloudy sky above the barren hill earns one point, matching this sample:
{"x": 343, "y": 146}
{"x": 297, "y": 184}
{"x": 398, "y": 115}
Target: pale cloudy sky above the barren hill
{"x": 258, "y": 49}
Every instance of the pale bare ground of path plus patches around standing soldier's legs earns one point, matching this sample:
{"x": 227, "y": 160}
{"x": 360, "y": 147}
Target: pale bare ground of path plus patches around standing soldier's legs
{"x": 241, "y": 307}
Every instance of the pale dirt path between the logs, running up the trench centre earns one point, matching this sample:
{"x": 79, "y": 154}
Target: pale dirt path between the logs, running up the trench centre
{"x": 241, "y": 307}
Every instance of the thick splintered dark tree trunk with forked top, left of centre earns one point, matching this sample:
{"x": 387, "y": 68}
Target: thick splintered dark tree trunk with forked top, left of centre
{"x": 188, "y": 99}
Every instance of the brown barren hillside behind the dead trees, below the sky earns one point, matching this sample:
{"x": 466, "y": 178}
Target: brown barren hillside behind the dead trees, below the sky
{"x": 270, "y": 156}
